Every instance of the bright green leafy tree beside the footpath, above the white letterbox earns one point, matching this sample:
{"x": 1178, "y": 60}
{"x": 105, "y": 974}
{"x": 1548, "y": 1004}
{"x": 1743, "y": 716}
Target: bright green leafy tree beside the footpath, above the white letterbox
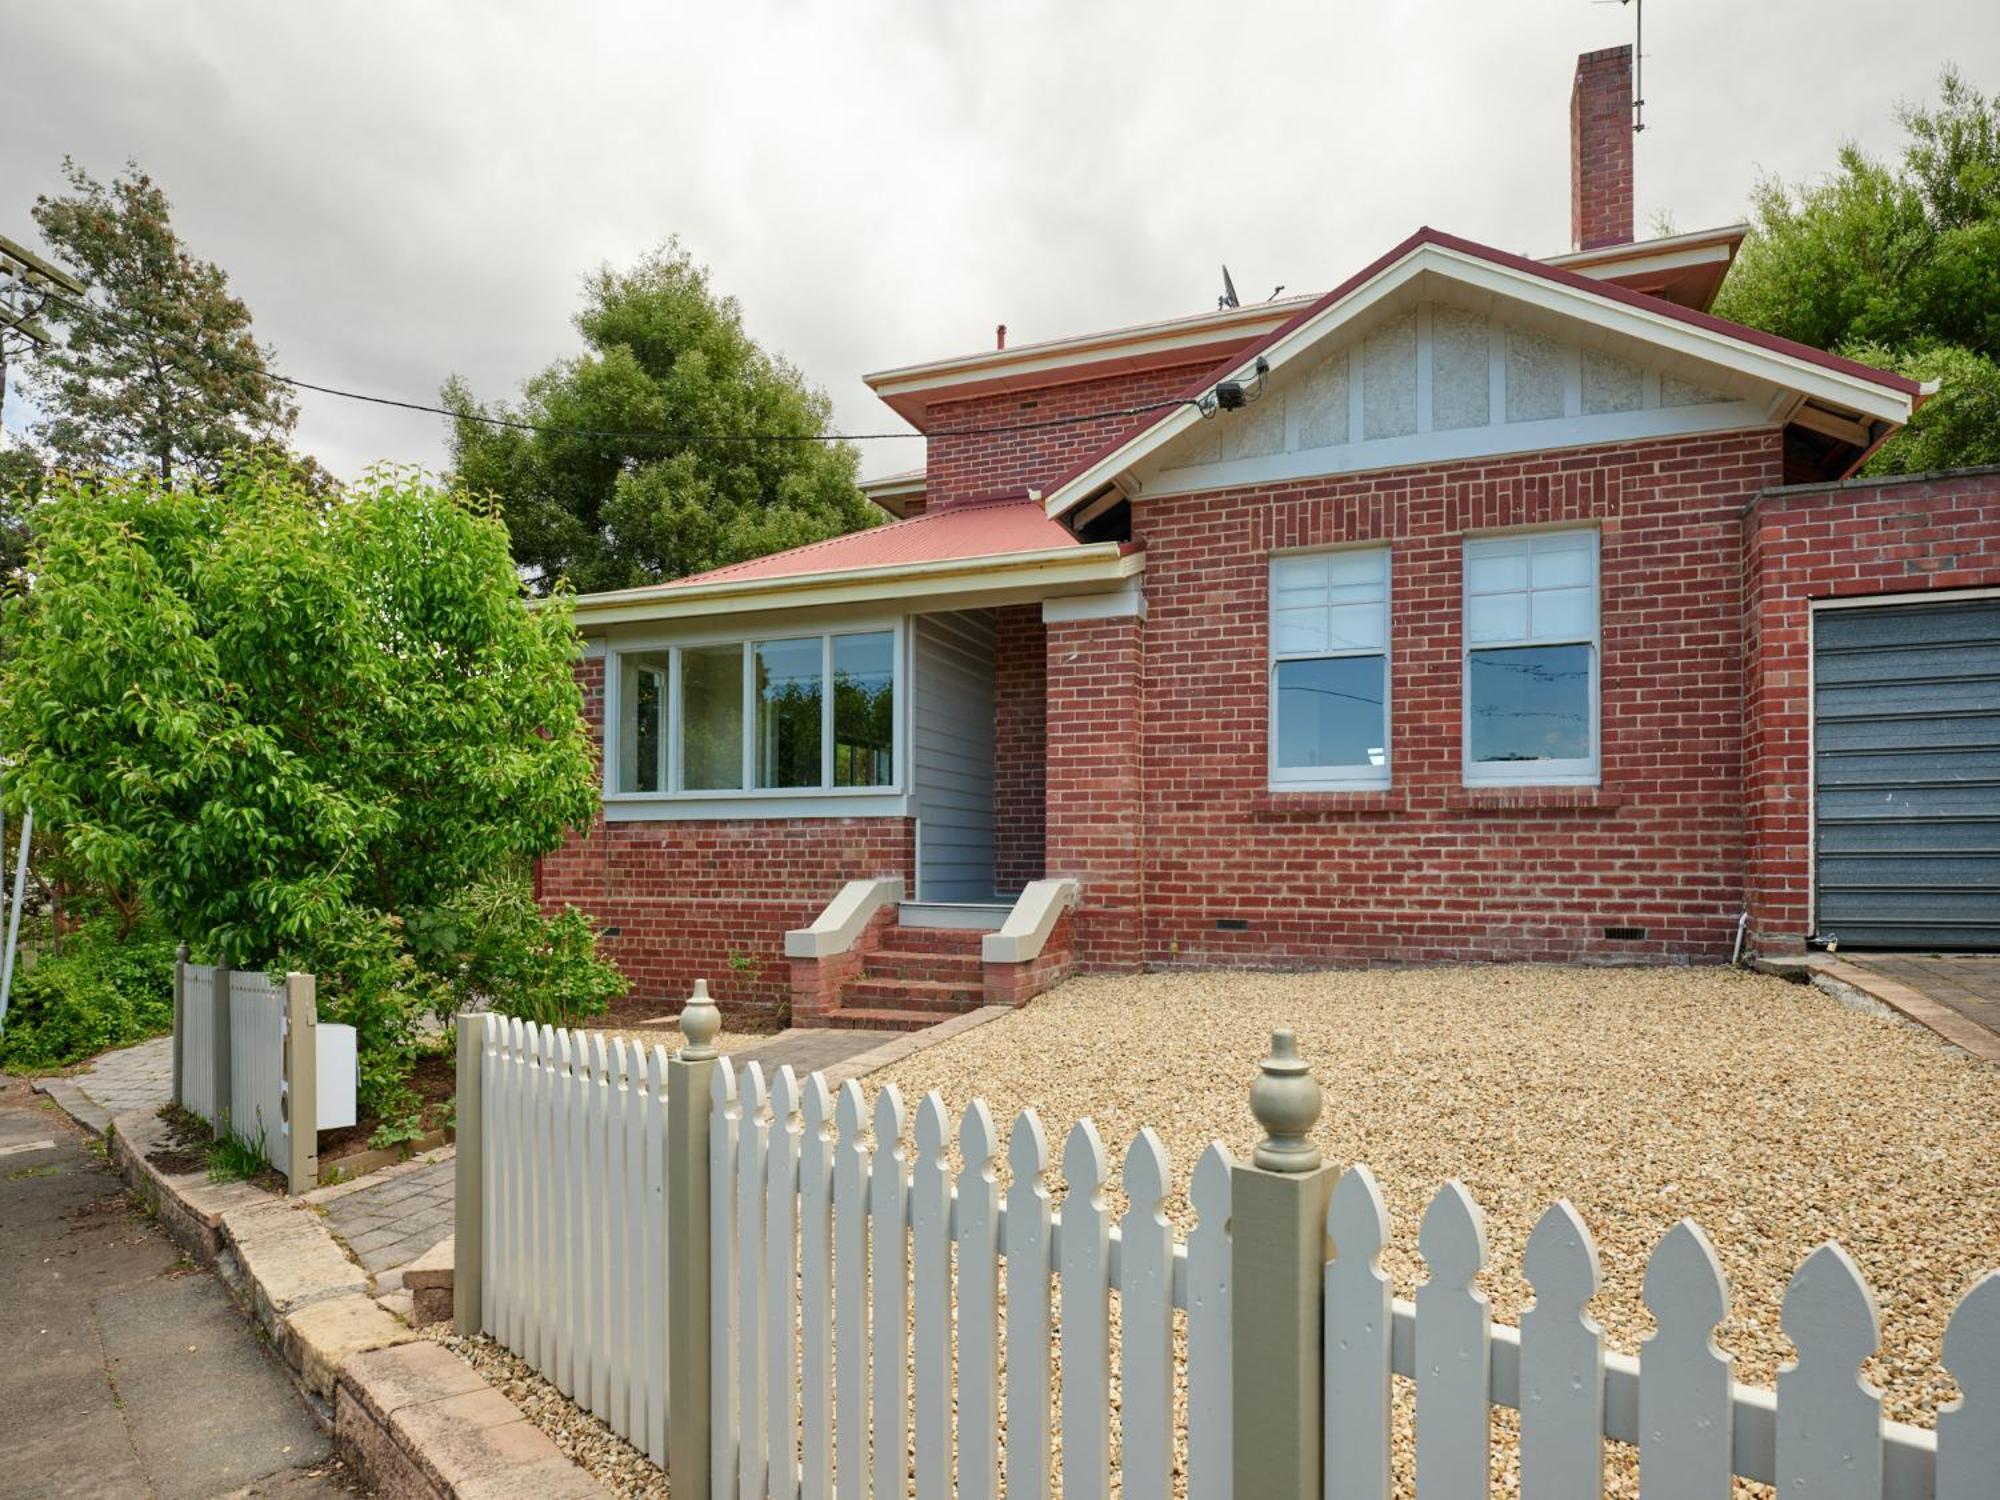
{"x": 301, "y": 731}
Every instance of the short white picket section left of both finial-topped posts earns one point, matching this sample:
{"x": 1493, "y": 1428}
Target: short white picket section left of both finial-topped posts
{"x": 575, "y": 1233}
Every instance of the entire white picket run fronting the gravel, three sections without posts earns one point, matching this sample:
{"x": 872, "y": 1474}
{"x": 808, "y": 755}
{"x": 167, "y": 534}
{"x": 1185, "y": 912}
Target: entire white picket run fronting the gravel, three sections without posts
{"x": 883, "y": 1325}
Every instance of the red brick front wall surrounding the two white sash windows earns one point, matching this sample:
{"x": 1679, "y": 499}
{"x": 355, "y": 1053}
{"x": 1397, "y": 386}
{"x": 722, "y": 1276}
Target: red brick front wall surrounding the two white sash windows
{"x": 1177, "y": 831}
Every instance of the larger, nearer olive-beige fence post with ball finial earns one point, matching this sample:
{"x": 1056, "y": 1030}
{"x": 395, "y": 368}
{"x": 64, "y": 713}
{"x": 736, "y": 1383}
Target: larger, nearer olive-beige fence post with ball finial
{"x": 1277, "y": 1267}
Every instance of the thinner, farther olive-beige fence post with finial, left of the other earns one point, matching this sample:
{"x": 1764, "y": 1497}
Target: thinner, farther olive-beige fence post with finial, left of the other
{"x": 687, "y": 1245}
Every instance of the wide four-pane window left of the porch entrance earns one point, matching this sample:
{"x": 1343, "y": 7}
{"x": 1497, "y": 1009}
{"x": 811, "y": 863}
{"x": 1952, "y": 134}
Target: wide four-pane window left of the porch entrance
{"x": 783, "y": 715}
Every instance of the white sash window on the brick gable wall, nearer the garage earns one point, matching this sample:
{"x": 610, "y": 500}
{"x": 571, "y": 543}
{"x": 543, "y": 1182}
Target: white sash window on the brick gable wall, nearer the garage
{"x": 1531, "y": 659}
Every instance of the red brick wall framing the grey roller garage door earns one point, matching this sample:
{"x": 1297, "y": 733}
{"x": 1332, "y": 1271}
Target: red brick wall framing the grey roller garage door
{"x": 1833, "y": 541}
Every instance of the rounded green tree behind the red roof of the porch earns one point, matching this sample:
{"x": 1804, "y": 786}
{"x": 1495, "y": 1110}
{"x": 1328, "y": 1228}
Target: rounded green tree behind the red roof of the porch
{"x": 729, "y": 471}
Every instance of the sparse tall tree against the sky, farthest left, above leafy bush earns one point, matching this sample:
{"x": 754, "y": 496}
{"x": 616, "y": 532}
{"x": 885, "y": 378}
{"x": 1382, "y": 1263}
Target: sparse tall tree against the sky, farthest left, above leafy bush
{"x": 157, "y": 367}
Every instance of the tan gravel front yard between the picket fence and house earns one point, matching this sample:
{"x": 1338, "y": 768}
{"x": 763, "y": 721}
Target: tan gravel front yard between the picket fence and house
{"x": 1763, "y": 1109}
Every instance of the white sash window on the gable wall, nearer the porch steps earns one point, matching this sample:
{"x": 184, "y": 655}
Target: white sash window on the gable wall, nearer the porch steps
{"x": 1329, "y": 671}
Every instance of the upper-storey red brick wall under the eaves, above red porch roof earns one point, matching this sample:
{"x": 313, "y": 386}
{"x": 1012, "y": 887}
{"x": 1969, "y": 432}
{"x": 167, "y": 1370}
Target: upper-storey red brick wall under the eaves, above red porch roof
{"x": 977, "y": 467}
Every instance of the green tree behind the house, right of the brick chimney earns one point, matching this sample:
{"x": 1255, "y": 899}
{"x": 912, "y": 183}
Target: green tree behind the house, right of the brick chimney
{"x": 1899, "y": 265}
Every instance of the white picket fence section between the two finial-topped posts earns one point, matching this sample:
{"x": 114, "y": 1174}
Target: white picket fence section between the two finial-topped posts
{"x": 831, "y": 1291}
